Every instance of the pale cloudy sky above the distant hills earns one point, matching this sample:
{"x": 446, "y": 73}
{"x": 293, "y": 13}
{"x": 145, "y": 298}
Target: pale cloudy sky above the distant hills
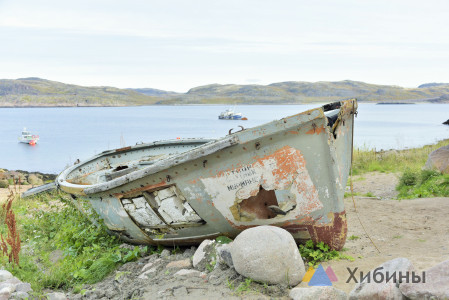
{"x": 176, "y": 45}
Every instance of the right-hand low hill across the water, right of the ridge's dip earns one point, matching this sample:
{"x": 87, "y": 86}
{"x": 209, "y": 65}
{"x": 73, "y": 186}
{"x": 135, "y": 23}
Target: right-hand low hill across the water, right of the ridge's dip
{"x": 305, "y": 92}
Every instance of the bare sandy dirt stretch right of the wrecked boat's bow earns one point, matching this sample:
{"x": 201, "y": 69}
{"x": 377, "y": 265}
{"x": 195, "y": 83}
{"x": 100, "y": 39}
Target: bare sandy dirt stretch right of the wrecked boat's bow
{"x": 415, "y": 229}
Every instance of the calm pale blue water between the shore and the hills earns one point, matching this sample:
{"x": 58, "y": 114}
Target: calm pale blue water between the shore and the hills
{"x": 70, "y": 133}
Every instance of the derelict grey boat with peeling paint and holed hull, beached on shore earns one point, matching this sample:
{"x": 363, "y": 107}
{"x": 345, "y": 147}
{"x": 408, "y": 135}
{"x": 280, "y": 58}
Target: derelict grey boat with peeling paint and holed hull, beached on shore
{"x": 289, "y": 173}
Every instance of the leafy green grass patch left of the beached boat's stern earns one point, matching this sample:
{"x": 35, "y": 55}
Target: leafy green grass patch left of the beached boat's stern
{"x": 48, "y": 223}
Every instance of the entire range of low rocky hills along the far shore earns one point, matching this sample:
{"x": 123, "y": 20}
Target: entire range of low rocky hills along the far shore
{"x": 41, "y": 92}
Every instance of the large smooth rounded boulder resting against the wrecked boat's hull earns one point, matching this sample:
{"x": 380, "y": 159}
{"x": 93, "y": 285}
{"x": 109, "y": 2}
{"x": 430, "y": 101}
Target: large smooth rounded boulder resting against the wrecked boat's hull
{"x": 268, "y": 254}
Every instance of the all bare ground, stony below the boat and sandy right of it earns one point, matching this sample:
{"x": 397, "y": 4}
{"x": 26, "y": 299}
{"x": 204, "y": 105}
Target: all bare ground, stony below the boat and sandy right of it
{"x": 414, "y": 229}
